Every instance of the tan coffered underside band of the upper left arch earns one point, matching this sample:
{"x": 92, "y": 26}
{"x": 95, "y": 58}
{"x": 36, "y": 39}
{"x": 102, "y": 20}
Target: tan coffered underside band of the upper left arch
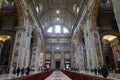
{"x": 18, "y": 5}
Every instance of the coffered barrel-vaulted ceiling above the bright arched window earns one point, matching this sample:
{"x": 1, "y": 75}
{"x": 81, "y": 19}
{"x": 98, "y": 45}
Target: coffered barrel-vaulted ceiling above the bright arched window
{"x": 53, "y": 12}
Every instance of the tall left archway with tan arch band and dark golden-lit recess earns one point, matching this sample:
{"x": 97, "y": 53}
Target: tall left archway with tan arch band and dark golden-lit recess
{"x": 9, "y": 20}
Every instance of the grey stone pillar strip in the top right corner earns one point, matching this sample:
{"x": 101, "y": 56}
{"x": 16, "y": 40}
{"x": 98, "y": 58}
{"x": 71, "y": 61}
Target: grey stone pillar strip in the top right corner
{"x": 116, "y": 5}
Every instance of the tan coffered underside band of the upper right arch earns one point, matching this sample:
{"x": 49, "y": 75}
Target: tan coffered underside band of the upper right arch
{"x": 94, "y": 13}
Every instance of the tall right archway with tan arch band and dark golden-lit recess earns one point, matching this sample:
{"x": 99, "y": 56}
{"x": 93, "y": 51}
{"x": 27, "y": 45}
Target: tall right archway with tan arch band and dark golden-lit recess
{"x": 103, "y": 17}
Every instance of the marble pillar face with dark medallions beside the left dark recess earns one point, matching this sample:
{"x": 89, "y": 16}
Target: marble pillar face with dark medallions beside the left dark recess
{"x": 16, "y": 58}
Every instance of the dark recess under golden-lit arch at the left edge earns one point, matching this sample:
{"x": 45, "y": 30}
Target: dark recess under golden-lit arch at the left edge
{"x": 6, "y": 48}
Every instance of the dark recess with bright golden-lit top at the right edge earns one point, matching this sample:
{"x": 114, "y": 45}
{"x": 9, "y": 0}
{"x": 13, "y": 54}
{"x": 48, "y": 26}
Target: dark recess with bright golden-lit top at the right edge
{"x": 111, "y": 49}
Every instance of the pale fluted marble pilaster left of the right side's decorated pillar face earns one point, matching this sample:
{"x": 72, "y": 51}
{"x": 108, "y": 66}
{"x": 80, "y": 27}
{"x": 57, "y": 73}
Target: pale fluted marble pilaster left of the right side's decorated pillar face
{"x": 90, "y": 55}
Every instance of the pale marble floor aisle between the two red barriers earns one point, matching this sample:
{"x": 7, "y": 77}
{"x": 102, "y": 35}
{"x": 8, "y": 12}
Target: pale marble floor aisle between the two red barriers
{"x": 58, "y": 75}
